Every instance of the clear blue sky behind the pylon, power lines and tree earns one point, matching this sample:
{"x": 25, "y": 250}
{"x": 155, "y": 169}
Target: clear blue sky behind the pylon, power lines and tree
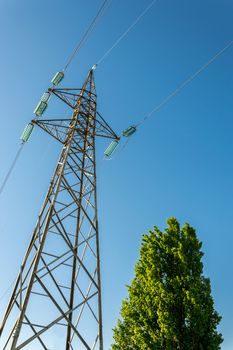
{"x": 178, "y": 164}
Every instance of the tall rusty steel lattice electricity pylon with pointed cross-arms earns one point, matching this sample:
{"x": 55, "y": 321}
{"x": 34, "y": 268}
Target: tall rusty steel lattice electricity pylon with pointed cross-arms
{"x": 57, "y": 294}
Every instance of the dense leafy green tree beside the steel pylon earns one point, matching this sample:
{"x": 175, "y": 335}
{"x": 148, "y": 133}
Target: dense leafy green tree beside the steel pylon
{"x": 169, "y": 304}
